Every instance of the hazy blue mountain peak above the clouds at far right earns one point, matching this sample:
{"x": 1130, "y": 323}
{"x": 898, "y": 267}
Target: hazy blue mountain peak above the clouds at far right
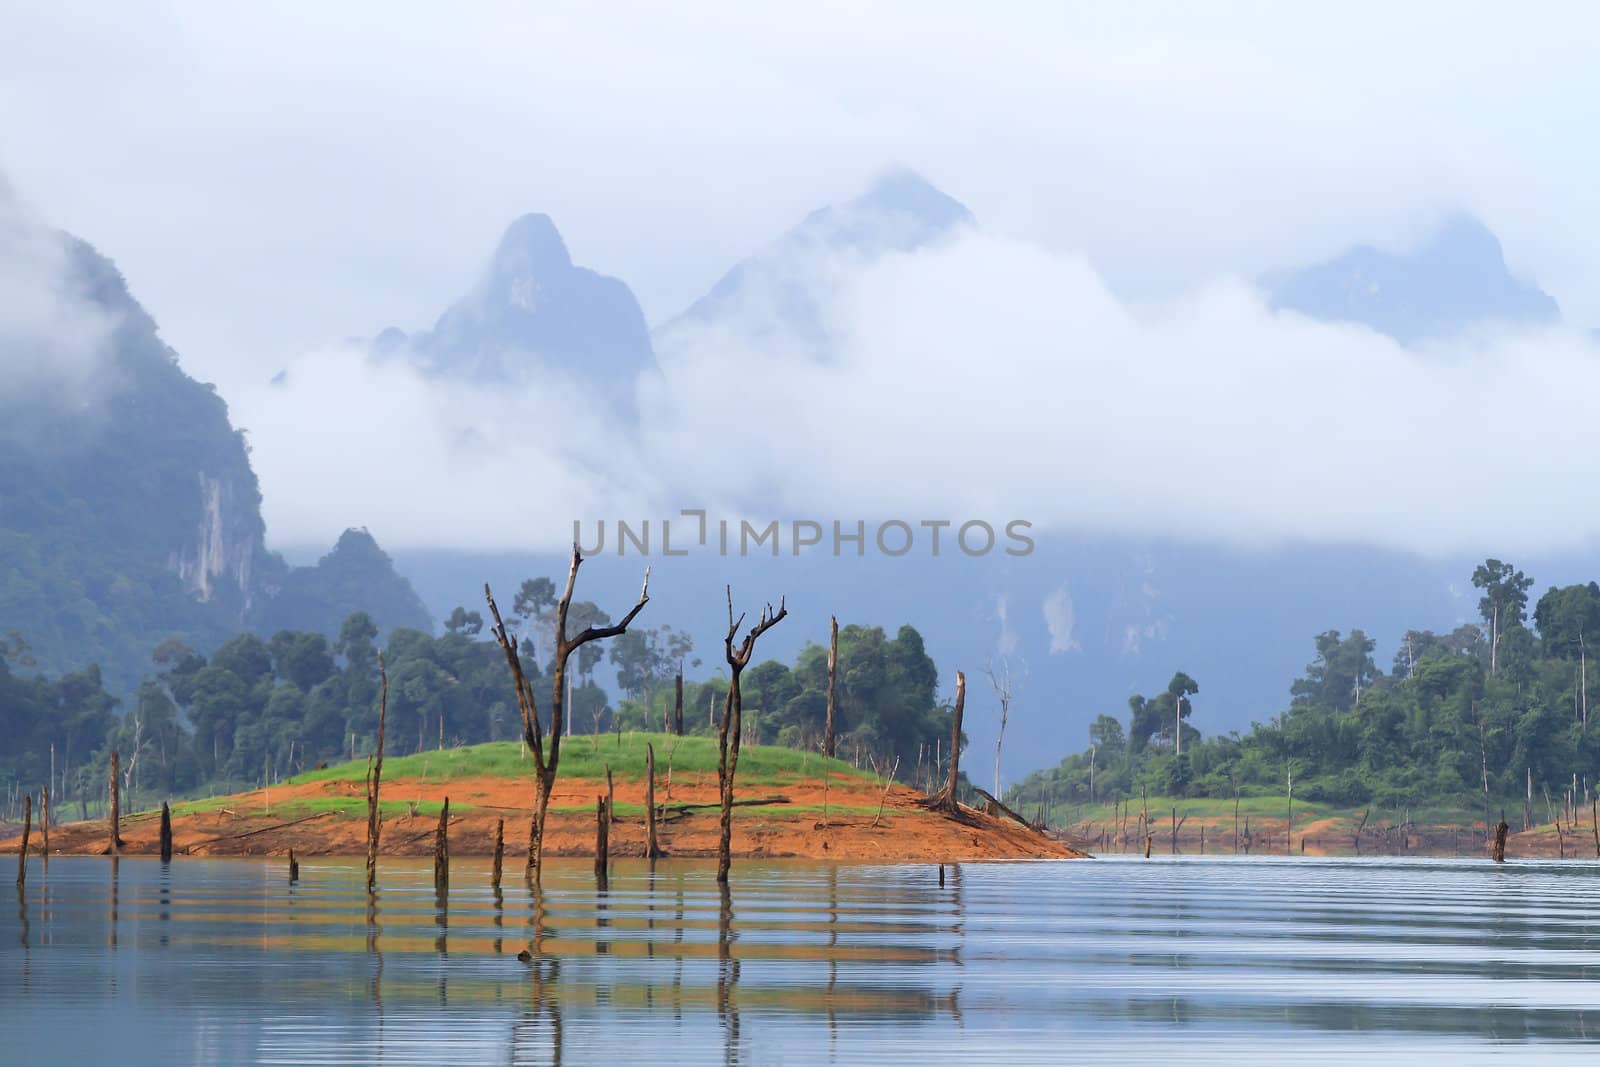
{"x": 1458, "y": 279}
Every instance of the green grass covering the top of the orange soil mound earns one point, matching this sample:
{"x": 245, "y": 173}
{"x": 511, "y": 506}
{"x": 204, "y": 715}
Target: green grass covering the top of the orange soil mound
{"x": 582, "y": 757}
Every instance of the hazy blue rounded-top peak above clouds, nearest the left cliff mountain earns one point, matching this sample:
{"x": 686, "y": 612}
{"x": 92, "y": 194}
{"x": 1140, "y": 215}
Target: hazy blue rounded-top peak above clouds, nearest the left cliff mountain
{"x": 535, "y": 311}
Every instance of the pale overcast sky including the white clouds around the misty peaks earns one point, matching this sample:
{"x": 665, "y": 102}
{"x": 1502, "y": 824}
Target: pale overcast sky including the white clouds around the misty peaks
{"x": 279, "y": 180}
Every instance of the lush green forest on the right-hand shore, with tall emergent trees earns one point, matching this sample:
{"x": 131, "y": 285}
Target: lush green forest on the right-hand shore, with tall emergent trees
{"x": 1492, "y": 716}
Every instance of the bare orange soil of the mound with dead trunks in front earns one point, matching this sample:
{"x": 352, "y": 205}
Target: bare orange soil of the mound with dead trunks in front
{"x": 906, "y": 834}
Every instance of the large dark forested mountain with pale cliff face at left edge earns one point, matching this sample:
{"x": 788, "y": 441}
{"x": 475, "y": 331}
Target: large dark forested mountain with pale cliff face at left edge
{"x": 129, "y": 508}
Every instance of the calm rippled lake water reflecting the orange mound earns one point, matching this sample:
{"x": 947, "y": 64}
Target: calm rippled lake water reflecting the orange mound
{"x": 1116, "y": 961}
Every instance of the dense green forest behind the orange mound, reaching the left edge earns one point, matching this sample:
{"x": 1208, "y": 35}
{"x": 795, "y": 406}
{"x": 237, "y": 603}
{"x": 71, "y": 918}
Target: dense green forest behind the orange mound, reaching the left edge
{"x": 262, "y": 709}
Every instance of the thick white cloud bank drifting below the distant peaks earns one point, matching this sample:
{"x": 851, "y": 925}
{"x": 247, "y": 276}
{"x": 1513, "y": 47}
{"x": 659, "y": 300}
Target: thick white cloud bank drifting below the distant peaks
{"x": 982, "y": 378}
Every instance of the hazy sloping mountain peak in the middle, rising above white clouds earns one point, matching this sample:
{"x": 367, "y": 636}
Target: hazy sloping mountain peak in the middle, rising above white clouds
{"x": 782, "y": 292}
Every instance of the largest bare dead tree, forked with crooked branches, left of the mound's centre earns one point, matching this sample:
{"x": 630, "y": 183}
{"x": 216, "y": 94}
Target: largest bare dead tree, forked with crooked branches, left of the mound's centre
{"x": 548, "y": 762}
